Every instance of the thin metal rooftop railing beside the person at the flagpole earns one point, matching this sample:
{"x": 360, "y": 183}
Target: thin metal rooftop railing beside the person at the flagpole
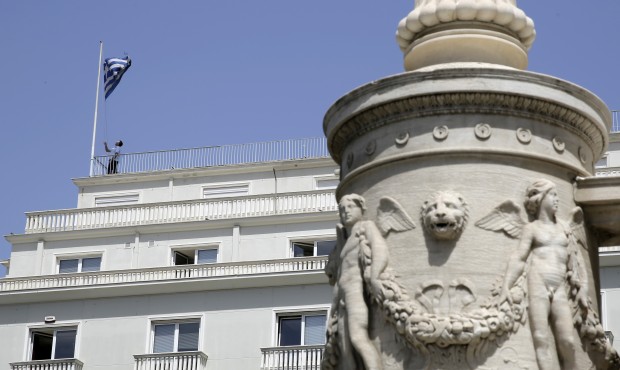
{"x": 281, "y": 150}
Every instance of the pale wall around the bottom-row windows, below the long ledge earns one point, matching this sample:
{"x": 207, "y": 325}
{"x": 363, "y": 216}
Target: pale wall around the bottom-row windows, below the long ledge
{"x": 235, "y": 324}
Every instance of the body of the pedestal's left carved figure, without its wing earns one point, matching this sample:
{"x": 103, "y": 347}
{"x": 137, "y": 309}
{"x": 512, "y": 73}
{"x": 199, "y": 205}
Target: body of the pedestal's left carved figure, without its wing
{"x": 349, "y": 280}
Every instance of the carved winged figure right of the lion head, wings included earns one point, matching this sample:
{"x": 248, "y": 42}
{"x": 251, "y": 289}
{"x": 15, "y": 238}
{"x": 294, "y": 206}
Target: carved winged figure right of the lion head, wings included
{"x": 549, "y": 256}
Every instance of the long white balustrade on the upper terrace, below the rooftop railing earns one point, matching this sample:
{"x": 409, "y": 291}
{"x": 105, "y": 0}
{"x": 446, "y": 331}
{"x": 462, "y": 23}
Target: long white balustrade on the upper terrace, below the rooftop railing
{"x": 181, "y": 211}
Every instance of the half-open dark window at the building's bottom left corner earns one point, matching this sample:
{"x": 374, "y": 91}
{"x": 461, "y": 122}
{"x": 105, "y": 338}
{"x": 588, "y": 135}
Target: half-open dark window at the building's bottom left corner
{"x": 48, "y": 344}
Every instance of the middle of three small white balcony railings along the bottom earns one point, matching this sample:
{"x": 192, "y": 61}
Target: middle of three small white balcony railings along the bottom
{"x": 194, "y": 360}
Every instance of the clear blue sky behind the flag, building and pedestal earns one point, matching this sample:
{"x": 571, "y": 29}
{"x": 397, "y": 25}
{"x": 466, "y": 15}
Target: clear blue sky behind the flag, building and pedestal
{"x": 219, "y": 72}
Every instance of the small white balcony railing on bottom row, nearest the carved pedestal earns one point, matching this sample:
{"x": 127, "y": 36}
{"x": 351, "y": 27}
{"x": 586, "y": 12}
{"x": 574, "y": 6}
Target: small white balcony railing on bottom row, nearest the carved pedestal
{"x": 292, "y": 358}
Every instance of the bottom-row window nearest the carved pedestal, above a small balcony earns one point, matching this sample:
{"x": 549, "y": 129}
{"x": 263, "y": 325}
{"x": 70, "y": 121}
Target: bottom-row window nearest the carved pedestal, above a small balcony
{"x": 304, "y": 329}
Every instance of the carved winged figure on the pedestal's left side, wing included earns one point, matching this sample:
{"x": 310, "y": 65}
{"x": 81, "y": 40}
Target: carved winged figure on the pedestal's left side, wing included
{"x": 359, "y": 241}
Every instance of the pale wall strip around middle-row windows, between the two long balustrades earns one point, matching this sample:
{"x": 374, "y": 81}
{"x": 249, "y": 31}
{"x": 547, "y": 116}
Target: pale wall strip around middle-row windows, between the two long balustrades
{"x": 155, "y": 249}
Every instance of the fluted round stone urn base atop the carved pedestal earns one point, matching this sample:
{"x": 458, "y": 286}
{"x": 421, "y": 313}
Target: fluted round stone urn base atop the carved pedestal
{"x": 455, "y": 31}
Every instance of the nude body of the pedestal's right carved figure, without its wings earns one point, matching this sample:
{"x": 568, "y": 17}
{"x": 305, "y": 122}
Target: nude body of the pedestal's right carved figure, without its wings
{"x": 545, "y": 241}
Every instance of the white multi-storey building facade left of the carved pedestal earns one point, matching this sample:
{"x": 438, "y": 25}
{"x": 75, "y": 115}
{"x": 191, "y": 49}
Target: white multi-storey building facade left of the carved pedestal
{"x": 206, "y": 258}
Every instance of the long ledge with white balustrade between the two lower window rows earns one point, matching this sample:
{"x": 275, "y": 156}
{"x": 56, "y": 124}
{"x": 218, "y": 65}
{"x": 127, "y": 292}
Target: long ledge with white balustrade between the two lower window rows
{"x": 162, "y": 280}
